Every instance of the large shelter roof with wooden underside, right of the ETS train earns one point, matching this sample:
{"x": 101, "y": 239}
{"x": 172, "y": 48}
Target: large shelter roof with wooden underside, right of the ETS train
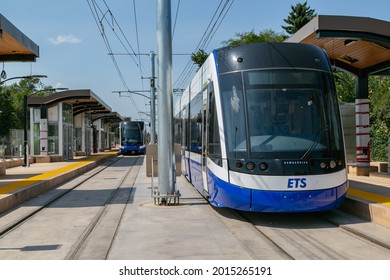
{"x": 359, "y": 45}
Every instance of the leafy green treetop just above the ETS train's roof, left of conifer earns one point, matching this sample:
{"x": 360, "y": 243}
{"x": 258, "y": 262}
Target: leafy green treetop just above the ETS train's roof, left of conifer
{"x": 266, "y": 35}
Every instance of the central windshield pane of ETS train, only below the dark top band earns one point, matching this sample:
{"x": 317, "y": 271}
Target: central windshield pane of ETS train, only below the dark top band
{"x": 285, "y": 116}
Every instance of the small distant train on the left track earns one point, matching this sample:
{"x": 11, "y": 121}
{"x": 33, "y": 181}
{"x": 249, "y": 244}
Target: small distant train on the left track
{"x": 132, "y": 137}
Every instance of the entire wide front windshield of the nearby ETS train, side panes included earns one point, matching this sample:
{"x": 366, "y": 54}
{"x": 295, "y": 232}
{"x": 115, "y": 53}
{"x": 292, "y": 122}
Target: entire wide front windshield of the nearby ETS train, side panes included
{"x": 280, "y": 114}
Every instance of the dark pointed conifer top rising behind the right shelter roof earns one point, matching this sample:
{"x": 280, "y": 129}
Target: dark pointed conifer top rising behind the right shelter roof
{"x": 299, "y": 15}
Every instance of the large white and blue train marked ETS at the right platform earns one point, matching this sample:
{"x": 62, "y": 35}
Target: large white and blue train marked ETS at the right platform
{"x": 260, "y": 129}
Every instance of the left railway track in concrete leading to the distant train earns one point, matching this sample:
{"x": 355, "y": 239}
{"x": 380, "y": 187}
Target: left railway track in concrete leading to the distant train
{"x": 84, "y": 206}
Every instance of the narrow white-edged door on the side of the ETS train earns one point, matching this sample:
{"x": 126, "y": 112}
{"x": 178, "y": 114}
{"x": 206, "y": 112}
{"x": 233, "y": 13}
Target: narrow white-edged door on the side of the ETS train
{"x": 205, "y": 134}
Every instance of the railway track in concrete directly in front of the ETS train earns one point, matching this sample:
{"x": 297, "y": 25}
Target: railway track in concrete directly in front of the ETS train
{"x": 331, "y": 235}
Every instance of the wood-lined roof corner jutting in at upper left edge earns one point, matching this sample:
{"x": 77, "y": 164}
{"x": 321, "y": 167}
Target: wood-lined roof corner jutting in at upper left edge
{"x": 14, "y": 45}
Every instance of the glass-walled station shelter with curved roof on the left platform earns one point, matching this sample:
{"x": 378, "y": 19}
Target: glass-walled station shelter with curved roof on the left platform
{"x": 69, "y": 123}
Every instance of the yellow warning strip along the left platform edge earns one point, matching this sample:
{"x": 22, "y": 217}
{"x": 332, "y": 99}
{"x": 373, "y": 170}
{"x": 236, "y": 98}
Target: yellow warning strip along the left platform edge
{"x": 44, "y": 176}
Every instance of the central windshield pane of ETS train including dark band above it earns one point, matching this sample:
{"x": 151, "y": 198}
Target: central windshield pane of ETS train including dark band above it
{"x": 286, "y": 111}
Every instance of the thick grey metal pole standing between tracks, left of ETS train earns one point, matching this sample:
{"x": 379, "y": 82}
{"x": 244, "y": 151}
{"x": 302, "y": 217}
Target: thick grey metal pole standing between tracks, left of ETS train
{"x": 165, "y": 108}
